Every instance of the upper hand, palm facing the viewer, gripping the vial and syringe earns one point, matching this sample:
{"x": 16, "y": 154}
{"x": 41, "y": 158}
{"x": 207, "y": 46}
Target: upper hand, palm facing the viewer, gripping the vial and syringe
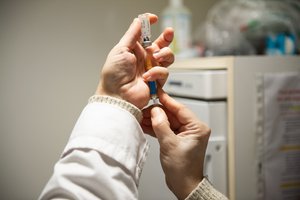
{"x": 122, "y": 73}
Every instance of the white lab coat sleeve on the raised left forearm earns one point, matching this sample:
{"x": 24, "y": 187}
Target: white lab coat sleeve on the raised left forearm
{"x": 103, "y": 158}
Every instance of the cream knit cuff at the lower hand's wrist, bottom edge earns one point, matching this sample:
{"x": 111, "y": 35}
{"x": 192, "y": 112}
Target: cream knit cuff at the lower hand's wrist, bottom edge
{"x": 205, "y": 191}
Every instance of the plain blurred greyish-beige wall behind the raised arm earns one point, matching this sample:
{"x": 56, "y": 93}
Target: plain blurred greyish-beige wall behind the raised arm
{"x": 51, "y": 53}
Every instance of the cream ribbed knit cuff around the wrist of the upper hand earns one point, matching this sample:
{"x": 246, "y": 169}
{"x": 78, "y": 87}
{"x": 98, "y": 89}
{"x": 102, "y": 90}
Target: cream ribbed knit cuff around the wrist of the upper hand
{"x": 136, "y": 112}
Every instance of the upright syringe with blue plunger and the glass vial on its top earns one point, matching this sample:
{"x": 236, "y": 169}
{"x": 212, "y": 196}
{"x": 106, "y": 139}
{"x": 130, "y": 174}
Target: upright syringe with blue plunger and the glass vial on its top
{"x": 146, "y": 42}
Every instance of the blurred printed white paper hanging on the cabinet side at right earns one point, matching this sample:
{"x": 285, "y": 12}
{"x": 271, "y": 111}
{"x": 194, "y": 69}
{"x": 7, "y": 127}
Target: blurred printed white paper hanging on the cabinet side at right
{"x": 278, "y": 131}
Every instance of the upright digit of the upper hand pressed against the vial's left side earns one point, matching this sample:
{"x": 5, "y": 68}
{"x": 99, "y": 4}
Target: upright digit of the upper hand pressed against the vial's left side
{"x": 132, "y": 35}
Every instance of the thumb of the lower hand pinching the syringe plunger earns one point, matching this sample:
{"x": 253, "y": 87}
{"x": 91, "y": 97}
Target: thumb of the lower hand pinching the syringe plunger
{"x": 161, "y": 125}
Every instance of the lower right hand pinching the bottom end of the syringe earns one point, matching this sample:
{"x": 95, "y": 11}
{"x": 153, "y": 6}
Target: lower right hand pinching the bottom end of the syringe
{"x": 183, "y": 140}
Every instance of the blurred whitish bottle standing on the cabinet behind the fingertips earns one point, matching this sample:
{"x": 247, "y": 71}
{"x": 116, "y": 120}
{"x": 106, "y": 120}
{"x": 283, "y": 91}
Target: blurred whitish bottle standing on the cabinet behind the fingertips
{"x": 177, "y": 16}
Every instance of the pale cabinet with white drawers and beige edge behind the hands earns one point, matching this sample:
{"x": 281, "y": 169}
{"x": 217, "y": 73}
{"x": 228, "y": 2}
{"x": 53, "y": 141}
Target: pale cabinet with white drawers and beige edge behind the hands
{"x": 228, "y": 105}
